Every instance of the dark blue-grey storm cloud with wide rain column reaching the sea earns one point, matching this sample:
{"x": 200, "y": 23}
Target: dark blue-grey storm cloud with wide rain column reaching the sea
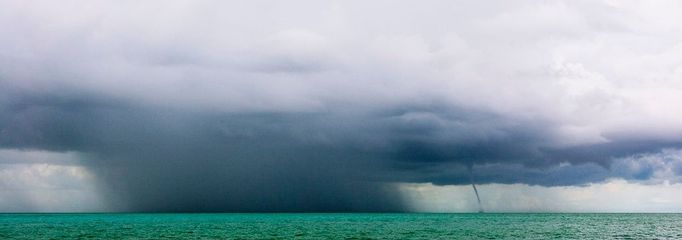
{"x": 169, "y": 160}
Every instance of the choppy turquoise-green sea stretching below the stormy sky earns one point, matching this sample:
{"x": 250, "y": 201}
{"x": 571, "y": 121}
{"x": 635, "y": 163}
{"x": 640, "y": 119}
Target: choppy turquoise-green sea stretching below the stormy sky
{"x": 341, "y": 226}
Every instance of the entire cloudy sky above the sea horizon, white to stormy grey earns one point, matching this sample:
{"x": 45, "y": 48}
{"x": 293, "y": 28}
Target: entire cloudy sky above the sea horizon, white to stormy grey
{"x": 340, "y": 106}
